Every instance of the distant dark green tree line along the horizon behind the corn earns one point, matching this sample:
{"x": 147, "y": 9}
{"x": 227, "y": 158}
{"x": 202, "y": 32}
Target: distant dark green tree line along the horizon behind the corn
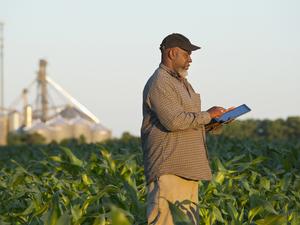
{"x": 279, "y": 129}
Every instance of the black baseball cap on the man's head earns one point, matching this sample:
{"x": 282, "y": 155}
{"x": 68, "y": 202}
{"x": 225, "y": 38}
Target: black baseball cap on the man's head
{"x": 178, "y": 40}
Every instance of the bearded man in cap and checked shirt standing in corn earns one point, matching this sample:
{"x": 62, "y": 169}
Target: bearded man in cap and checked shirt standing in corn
{"x": 173, "y": 133}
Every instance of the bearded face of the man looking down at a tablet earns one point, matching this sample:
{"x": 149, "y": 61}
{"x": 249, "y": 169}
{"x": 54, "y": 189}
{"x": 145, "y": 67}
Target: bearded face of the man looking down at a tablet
{"x": 182, "y": 61}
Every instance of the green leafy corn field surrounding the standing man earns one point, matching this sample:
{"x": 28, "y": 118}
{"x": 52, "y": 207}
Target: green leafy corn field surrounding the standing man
{"x": 254, "y": 182}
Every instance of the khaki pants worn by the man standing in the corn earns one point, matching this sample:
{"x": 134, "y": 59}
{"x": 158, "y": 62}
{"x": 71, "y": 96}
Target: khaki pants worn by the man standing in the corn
{"x": 171, "y": 188}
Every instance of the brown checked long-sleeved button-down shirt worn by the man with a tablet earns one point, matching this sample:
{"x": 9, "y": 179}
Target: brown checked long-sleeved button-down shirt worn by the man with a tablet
{"x": 172, "y": 133}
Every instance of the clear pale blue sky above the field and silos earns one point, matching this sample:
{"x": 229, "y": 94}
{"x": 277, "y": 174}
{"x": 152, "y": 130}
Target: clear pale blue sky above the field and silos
{"x": 103, "y": 52}
